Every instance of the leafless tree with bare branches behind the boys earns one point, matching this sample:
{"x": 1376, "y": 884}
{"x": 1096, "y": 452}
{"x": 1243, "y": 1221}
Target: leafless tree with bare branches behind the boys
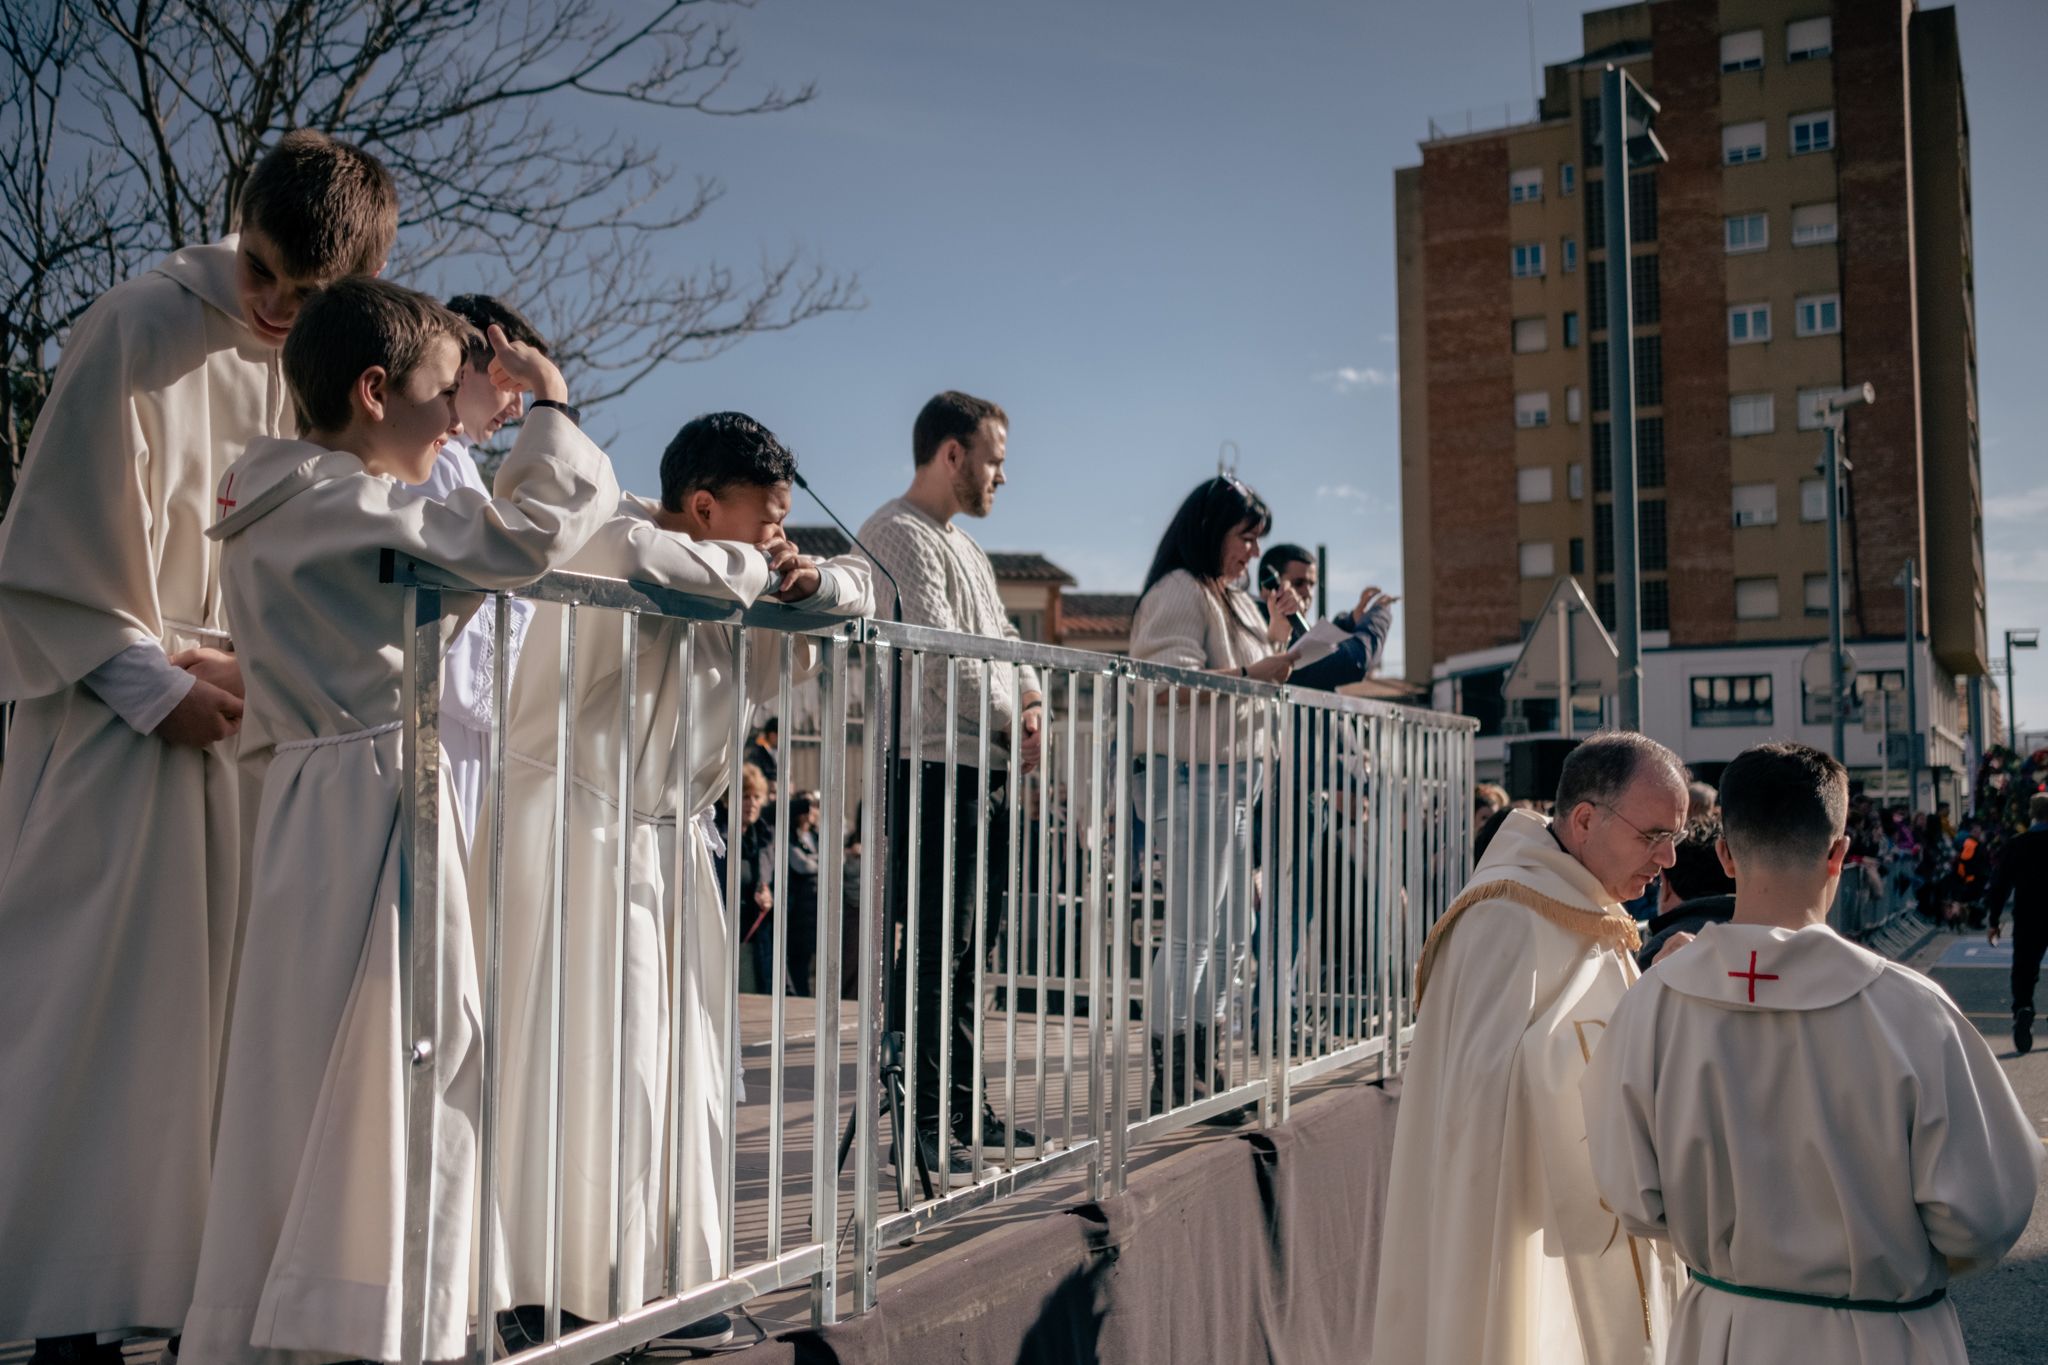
{"x": 128, "y": 128}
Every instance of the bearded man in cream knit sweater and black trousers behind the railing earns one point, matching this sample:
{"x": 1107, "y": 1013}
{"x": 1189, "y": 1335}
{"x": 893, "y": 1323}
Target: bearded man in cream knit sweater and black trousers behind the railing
{"x": 945, "y": 580}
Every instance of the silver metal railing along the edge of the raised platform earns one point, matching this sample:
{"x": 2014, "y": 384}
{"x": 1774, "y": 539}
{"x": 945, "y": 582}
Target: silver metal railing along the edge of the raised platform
{"x": 1236, "y": 871}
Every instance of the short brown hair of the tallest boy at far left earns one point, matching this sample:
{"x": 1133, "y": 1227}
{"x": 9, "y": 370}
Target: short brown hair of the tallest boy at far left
{"x": 329, "y": 206}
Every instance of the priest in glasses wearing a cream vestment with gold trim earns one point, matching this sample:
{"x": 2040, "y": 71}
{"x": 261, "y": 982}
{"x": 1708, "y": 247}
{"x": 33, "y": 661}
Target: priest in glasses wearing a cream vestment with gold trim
{"x": 1496, "y": 1247}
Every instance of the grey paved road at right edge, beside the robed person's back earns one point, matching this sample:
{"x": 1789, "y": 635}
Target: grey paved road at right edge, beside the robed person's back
{"x": 2006, "y": 1311}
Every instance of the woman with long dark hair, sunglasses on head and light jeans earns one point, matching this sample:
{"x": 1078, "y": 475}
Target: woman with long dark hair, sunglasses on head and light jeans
{"x": 1197, "y": 615}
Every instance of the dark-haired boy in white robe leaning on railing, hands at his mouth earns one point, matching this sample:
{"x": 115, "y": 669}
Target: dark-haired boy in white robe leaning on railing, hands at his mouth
{"x": 718, "y": 533}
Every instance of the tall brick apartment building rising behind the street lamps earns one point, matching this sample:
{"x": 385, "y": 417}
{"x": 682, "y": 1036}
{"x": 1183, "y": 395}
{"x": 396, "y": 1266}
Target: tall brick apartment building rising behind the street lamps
{"x": 1809, "y": 232}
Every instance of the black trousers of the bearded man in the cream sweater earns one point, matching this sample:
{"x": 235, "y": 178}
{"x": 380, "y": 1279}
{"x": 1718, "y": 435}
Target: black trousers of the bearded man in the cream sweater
{"x": 935, "y": 957}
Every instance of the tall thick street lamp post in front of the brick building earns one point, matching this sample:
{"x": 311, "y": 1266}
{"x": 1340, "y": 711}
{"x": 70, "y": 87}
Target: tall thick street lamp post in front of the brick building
{"x": 1627, "y": 142}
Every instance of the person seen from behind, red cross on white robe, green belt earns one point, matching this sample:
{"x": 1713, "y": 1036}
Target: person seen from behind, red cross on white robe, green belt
{"x": 1818, "y": 1133}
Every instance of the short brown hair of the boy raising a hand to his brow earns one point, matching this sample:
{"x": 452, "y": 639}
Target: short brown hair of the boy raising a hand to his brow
{"x": 347, "y": 328}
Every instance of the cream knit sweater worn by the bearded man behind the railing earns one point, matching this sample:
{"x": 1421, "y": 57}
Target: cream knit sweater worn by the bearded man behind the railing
{"x": 949, "y": 584}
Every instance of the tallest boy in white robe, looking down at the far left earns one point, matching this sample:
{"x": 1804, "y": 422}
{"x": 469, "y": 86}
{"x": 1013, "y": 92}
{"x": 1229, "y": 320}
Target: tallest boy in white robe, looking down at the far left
{"x": 124, "y": 818}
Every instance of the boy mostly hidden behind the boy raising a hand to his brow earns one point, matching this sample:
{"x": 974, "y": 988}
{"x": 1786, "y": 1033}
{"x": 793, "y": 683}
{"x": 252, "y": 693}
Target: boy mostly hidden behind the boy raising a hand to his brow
{"x": 470, "y": 666}
